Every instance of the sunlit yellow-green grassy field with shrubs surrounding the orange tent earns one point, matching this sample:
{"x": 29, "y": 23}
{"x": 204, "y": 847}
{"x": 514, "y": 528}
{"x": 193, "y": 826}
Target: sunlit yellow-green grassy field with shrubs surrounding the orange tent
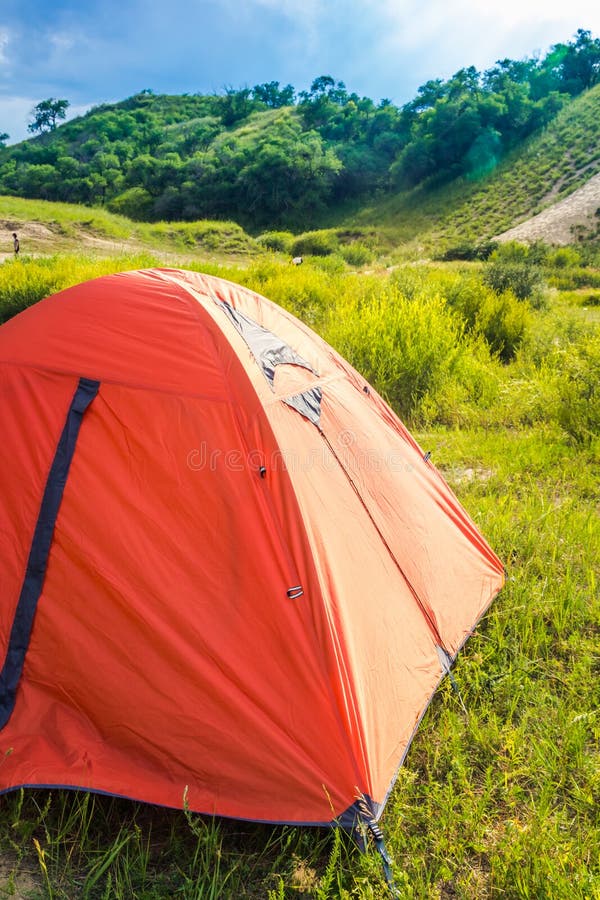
{"x": 499, "y": 798}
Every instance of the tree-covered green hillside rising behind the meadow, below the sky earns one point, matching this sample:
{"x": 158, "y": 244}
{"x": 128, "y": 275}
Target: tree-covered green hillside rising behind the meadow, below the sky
{"x": 268, "y": 158}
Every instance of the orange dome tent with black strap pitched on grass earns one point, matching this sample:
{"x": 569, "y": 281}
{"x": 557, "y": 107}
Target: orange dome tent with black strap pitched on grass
{"x": 227, "y": 570}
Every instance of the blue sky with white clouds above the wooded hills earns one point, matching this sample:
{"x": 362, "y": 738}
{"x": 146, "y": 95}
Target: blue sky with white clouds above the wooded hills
{"x": 94, "y": 51}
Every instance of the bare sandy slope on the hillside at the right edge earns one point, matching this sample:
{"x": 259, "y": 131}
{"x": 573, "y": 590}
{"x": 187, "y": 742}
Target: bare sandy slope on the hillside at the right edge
{"x": 559, "y": 223}
